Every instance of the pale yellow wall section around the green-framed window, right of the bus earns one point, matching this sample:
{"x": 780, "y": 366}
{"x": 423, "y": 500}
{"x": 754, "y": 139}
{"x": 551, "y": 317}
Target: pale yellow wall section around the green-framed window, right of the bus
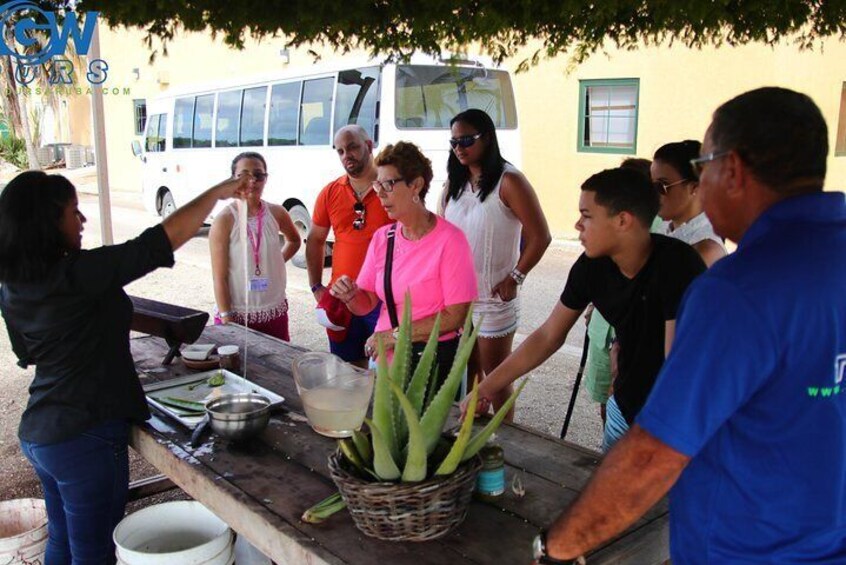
{"x": 679, "y": 90}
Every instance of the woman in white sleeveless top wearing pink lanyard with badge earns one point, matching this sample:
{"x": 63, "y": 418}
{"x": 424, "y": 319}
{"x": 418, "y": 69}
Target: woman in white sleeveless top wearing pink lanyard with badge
{"x": 248, "y": 260}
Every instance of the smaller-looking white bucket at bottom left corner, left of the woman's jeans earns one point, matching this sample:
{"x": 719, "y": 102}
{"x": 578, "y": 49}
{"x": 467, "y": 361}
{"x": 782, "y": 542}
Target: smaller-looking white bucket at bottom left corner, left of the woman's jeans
{"x": 23, "y": 531}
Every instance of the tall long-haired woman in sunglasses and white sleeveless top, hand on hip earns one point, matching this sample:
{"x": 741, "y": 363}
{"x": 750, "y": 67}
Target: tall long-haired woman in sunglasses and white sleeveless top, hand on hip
{"x": 493, "y": 204}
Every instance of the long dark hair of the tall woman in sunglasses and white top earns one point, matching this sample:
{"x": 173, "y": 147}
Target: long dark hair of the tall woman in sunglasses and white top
{"x": 492, "y": 161}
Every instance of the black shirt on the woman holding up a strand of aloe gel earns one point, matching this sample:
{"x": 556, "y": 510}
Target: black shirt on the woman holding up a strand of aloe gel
{"x": 74, "y": 327}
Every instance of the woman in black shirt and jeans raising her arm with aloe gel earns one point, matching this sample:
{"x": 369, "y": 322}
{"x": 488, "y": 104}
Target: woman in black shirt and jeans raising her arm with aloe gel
{"x": 67, "y": 314}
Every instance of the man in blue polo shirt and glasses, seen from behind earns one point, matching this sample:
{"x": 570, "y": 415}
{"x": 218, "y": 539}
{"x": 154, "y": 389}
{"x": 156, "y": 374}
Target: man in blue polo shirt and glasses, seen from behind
{"x": 747, "y": 420}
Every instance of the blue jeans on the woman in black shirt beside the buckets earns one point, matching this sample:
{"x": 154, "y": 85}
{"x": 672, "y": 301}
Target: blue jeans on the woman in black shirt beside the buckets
{"x": 85, "y": 481}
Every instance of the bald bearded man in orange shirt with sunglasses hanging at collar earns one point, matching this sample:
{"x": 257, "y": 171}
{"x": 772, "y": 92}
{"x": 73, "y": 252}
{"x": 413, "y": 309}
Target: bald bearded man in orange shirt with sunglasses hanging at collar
{"x": 350, "y": 208}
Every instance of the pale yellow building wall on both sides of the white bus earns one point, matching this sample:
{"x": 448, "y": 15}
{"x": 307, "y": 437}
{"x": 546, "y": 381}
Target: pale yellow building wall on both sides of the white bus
{"x": 679, "y": 89}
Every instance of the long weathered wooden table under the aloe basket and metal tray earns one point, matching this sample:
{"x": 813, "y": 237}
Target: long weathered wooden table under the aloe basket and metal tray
{"x": 262, "y": 488}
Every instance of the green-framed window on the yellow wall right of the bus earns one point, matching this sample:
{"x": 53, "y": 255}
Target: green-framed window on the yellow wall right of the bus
{"x": 608, "y": 116}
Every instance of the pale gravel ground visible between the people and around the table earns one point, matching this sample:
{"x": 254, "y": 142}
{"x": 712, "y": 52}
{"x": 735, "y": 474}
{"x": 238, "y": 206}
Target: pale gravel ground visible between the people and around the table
{"x": 542, "y": 405}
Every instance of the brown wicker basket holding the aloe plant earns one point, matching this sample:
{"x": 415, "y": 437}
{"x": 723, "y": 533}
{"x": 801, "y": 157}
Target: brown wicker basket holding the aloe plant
{"x": 406, "y": 511}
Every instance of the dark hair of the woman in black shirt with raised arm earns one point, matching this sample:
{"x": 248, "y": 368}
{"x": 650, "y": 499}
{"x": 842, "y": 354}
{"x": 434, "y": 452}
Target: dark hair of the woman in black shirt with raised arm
{"x": 31, "y": 241}
